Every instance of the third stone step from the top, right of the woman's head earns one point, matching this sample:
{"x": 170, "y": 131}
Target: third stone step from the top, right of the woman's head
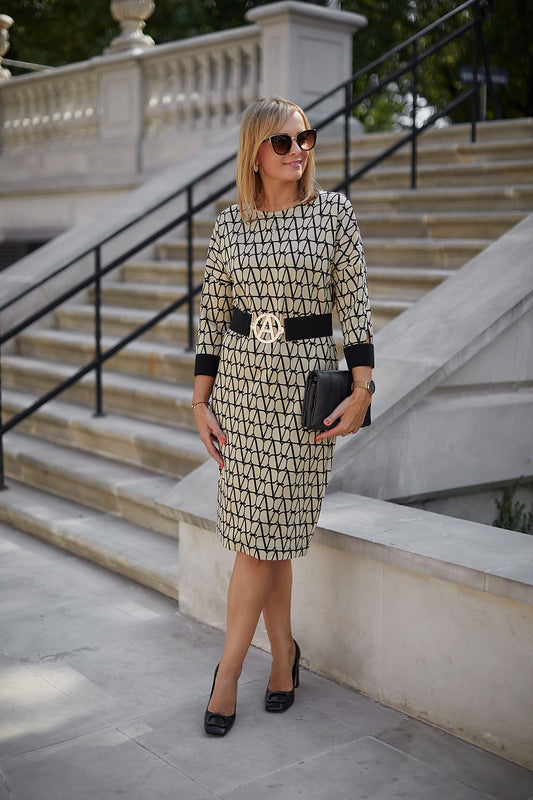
{"x": 495, "y": 173}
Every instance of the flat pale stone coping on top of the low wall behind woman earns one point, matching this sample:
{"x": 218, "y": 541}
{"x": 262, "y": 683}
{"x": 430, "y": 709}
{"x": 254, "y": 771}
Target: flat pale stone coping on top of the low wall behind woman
{"x": 469, "y": 554}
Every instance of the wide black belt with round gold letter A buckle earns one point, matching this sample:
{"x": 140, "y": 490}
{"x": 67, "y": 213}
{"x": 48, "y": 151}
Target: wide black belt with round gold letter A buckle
{"x": 269, "y": 327}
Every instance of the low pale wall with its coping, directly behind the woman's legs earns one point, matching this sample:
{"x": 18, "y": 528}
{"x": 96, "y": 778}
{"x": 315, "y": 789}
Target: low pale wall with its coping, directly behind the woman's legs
{"x": 428, "y": 614}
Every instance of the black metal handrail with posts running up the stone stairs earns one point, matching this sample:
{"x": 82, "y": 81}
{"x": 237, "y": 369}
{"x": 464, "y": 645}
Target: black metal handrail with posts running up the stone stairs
{"x": 345, "y": 111}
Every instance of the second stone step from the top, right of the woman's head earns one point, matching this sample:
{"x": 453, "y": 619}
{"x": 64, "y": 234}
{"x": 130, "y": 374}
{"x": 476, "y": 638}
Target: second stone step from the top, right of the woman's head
{"x": 331, "y": 158}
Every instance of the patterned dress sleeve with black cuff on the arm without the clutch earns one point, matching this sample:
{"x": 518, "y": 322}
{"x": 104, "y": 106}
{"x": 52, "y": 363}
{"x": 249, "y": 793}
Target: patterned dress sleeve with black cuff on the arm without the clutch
{"x": 215, "y": 307}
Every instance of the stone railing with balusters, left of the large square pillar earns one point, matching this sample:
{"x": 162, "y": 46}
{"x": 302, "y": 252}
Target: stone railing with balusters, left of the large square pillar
{"x": 200, "y": 83}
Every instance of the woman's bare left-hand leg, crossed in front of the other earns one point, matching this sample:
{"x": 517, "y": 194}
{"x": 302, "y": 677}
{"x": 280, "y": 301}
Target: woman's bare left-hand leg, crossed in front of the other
{"x": 249, "y": 586}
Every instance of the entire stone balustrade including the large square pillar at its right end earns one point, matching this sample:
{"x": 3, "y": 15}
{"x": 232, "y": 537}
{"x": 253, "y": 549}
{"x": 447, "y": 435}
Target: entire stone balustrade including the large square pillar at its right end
{"x": 121, "y": 115}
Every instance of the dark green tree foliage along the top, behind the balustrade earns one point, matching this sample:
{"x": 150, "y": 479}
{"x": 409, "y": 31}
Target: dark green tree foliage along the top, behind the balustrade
{"x": 57, "y": 32}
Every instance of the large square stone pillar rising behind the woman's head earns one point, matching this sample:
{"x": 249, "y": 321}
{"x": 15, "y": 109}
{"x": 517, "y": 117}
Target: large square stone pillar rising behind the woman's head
{"x": 306, "y": 50}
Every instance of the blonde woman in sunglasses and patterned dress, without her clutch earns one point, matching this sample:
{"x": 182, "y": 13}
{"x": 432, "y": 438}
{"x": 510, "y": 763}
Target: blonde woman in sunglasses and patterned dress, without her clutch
{"x": 277, "y": 264}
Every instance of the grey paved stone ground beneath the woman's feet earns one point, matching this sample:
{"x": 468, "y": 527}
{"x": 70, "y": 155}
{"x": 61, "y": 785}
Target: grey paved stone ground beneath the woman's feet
{"x": 103, "y": 685}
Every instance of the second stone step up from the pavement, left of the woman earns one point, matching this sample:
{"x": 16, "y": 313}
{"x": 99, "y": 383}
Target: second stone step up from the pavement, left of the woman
{"x": 129, "y": 492}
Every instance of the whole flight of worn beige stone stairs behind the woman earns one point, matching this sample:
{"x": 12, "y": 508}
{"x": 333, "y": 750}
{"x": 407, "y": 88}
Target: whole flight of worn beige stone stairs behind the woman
{"x": 88, "y": 483}
